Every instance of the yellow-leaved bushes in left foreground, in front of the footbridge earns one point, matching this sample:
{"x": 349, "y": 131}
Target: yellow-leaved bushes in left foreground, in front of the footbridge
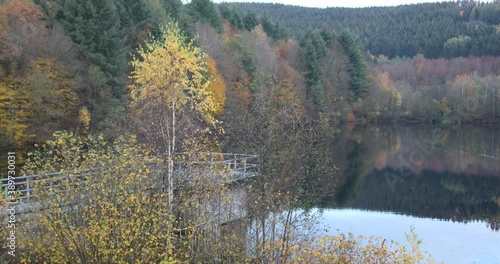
{"x": 117, "y": 218}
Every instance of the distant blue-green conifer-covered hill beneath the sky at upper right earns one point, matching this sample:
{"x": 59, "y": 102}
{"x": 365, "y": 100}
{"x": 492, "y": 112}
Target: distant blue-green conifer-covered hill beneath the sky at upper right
{"x": 446, "y": 29}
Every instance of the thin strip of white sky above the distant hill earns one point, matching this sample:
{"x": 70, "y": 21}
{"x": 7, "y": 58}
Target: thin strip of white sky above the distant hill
{"x": 336, "y": 3}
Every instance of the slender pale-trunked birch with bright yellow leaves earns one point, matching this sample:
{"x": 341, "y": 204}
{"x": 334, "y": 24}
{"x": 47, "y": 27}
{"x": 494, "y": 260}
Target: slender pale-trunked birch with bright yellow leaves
{"x": 169, "y": 93}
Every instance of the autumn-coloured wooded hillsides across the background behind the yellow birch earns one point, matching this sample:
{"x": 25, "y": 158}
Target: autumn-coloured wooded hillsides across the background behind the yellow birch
{"x": 66, "y": 65}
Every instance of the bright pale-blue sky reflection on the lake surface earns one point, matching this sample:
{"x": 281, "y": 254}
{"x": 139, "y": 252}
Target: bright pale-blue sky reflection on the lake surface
{"x": 454, "y": 243}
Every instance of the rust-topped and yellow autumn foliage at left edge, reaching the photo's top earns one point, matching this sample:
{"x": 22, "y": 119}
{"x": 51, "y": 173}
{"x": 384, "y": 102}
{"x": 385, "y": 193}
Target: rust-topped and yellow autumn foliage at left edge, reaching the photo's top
{"x": 38, "y": 93}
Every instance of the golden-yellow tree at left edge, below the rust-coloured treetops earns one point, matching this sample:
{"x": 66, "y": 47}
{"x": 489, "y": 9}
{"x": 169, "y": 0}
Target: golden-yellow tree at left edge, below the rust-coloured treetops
{"x": 38, "y": 102}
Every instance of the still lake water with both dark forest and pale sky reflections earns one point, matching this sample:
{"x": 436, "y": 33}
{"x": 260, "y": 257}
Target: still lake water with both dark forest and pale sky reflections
{"x": 444, "y": 182}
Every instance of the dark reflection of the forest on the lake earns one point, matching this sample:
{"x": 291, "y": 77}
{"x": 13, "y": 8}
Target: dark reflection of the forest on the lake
{"x": 447, "y": 173}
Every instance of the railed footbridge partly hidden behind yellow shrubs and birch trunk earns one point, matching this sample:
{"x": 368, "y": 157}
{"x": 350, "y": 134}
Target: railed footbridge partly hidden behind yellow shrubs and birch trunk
{"x": 219, "y": 167}
